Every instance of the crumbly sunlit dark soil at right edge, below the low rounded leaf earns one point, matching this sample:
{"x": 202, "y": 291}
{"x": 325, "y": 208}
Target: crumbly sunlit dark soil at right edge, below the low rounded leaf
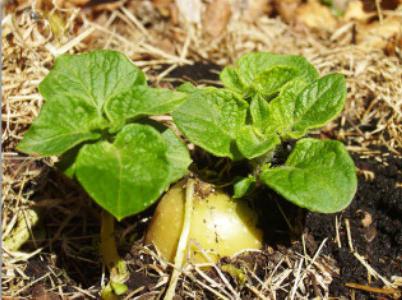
{"x": 379, "y": 241}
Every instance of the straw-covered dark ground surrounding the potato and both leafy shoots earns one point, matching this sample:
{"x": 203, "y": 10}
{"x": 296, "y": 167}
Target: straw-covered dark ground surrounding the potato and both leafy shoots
{"x": 316, "y": 257}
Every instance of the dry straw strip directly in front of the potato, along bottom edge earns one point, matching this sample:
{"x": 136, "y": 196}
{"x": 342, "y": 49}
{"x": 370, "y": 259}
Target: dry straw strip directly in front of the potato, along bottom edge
{"x": 264, "y": 274}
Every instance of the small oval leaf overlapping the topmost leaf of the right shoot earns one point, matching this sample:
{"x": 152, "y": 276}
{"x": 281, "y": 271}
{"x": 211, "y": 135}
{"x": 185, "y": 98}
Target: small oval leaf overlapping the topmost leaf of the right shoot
{"x": 268, "y": 83}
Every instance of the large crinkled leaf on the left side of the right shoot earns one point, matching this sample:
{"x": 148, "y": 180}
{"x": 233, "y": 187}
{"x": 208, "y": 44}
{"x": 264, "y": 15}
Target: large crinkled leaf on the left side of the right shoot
{"x": 211, "y": 119}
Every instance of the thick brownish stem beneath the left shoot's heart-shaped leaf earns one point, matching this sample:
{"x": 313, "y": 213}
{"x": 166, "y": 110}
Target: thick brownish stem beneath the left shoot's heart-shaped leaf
{"x": 114, "y": 263}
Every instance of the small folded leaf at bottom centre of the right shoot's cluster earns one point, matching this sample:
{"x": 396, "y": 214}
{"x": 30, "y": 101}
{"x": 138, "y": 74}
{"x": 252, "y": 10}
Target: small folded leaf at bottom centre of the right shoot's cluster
{"x": 252, "y": 143}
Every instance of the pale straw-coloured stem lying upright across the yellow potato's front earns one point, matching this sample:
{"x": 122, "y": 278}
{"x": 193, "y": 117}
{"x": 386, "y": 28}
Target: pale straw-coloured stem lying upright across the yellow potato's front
{"x": 182, "y": 245}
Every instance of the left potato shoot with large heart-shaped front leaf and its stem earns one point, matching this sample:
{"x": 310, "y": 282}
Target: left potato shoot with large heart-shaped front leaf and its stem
{"x": 93, "y": 119}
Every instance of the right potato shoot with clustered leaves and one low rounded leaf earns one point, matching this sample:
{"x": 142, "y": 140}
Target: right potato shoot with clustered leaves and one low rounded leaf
{"x": 268, "y": 99}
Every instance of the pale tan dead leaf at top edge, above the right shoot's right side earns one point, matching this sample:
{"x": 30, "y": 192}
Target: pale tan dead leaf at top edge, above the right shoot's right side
{"x": 315, "y": 15}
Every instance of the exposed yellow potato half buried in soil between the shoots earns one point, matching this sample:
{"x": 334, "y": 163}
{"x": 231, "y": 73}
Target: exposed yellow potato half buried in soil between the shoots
{"x": 219, "y": 226}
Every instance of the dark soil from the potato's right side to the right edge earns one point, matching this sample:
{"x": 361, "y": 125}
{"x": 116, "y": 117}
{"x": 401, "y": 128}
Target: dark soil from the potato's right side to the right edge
{"x": 375, "y": 218}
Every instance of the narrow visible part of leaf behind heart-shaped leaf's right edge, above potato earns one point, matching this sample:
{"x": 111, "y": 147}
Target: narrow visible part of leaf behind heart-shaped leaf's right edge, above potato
{"x": 178, "y": 156}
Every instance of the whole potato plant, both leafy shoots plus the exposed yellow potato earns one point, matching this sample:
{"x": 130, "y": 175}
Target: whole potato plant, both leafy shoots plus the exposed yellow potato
{"x": 96, "y": 120}
